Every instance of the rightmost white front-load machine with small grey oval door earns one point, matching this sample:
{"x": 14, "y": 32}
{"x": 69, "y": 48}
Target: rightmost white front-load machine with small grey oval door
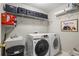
{"x": 55, "y": 44}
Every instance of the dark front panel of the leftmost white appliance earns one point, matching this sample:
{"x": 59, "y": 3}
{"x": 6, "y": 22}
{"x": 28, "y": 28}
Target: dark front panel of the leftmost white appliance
{"x": 17, "y": 50}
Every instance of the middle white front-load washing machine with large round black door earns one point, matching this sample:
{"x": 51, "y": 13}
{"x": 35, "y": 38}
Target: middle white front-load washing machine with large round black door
{"x": 38, "y": 44}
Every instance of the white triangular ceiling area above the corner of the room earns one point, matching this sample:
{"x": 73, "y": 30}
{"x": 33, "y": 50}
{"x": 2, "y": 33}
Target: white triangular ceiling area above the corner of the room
{"x": 46, "y": 7}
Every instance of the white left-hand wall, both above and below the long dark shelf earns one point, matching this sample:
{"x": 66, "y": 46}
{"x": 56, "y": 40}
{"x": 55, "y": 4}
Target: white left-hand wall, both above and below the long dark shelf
{"x": 27, "y": 25}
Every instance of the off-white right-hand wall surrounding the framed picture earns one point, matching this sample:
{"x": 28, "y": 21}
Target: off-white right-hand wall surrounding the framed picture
{"x": 69, "y": 40}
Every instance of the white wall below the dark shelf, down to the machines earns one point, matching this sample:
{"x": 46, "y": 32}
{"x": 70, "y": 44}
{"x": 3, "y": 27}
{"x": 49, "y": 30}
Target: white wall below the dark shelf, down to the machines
{"x": 26, "y": 26}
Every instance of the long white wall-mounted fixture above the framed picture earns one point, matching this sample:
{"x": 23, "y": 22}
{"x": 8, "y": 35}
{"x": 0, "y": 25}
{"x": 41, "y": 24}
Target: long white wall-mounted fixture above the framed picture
{"x": 71, "y": 7}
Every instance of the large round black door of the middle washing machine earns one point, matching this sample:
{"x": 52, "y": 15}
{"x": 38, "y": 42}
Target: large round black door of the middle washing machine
{"x": 42, "y": 47}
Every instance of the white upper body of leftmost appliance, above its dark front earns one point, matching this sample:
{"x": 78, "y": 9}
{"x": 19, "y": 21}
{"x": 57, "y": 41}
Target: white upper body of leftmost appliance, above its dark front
{"x": 13, "y": 41}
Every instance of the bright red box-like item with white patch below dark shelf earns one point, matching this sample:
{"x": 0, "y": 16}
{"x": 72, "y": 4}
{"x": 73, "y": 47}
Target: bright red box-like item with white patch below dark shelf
{"x": 8, "y": 19}
